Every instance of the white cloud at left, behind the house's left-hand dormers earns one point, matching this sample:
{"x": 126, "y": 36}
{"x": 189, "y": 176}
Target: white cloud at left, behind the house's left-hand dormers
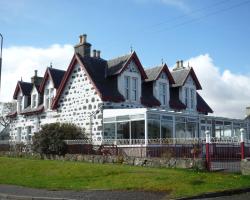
{"x": 22, "y": 61}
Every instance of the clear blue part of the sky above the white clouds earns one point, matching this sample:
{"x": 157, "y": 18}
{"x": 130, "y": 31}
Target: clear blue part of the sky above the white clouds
{"x": 150, "y": 26}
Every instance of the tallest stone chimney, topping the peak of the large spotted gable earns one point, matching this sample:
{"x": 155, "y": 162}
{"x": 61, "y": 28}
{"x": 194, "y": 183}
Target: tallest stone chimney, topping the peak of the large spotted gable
{"x": 83, "y": 48}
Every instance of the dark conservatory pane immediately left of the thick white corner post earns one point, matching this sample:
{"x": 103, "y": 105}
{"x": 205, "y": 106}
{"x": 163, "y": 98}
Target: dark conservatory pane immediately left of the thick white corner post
{"x": 137, "y": 129}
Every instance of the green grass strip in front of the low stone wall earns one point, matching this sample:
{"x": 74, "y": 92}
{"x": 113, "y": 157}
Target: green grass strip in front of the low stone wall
{"x": 81, "y": 176}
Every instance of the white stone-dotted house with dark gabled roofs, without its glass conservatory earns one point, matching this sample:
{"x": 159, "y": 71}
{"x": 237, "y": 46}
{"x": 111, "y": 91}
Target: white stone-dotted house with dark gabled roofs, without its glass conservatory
{"x": 92, "y": 84}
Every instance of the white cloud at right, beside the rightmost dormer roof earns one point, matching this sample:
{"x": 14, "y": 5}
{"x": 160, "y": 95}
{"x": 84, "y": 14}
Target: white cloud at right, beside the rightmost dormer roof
{"x": 227, "y": 93}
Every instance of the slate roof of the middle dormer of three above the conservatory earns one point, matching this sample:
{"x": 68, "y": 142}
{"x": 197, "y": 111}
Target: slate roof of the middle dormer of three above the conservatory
{"x": 154, "y": 73}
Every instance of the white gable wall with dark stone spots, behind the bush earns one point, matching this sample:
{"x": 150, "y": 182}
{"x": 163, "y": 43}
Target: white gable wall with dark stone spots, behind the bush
{"x": 80, "y": 102}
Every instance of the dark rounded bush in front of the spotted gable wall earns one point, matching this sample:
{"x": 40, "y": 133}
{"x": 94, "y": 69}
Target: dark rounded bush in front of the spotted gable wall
{"x": 50, "y": 139}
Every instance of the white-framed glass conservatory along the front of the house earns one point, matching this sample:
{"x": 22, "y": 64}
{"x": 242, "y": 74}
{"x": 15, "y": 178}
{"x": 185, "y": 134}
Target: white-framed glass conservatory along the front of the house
{"x": 143, "y": 125}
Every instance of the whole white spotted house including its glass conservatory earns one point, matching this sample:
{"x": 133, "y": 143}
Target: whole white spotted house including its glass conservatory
{"x": 117, "y": 100}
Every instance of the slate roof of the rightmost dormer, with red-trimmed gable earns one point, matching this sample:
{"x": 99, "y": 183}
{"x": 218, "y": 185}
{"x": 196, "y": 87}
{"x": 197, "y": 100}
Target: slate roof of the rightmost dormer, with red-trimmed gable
{"x": 180, "y": 76}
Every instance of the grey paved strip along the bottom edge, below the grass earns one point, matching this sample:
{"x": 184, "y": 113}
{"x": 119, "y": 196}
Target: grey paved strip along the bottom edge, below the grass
{"x": 87, "y": 194}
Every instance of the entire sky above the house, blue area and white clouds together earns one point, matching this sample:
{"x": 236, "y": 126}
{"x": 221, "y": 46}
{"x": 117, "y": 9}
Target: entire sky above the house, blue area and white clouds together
{"x": 213, "y": 36}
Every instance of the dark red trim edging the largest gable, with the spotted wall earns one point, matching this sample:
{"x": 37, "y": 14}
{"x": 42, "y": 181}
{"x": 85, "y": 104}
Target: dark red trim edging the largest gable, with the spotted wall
{"x": 74, "y": 59}
